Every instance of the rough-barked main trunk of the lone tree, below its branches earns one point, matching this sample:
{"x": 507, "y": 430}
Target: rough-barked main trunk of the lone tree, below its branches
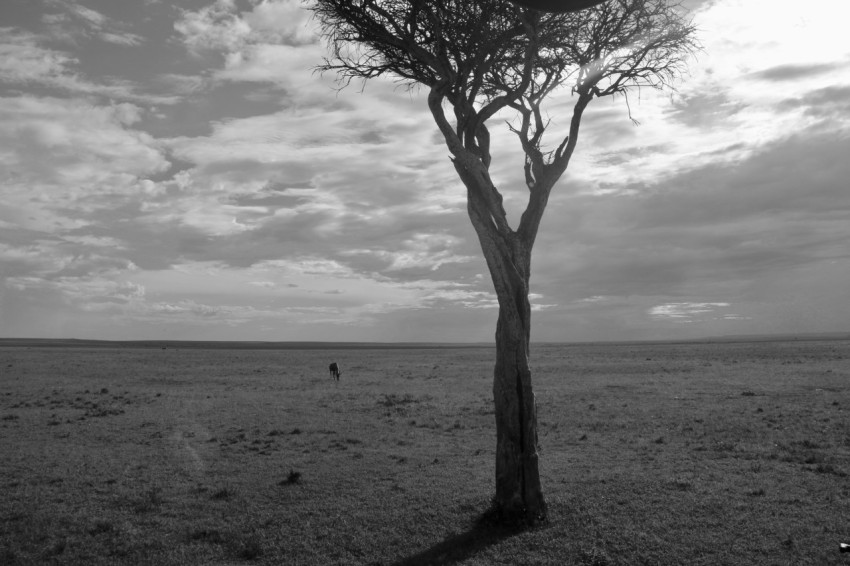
{"x": 519, "y": 497}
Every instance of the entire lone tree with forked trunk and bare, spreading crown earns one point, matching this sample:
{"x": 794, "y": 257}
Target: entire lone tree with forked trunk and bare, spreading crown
{"x": 480, "y": 58}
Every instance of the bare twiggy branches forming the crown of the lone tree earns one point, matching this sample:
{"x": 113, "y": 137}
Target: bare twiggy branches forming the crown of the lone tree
{"x": 485, "y": 56}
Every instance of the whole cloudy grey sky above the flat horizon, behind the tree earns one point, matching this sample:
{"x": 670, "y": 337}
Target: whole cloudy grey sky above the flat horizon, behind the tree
{"x": 176, "y": 170}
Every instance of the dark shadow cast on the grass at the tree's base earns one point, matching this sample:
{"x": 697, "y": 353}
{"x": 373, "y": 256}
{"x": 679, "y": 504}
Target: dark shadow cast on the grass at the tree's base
{"x": 459, "y": 547}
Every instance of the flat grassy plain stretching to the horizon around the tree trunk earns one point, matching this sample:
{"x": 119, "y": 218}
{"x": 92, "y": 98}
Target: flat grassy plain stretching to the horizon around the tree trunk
{"x": 653, "y": 454}
